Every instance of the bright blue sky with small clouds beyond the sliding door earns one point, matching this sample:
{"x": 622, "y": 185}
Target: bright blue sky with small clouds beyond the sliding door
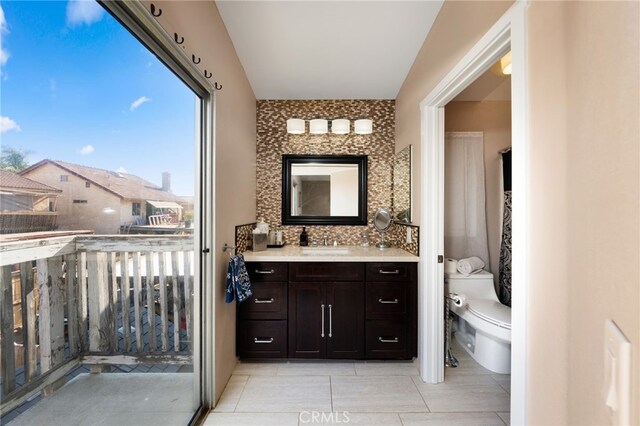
{"x": 77, "y": 87}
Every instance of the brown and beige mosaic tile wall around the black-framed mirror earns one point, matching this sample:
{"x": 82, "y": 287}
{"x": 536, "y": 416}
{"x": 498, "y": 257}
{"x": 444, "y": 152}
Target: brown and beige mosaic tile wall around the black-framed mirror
{"x": 273, "y": 141}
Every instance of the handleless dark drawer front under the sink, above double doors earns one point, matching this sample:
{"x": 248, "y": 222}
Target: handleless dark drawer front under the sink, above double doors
{"x": 326, "y": 271}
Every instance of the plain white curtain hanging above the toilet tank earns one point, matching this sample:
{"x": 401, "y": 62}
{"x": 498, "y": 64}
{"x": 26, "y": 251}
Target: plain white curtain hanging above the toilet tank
{"x": 465, "y": 229}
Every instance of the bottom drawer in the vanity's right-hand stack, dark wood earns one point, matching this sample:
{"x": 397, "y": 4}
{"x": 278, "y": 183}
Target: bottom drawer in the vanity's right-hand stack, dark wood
{"x": 387, "y": 340}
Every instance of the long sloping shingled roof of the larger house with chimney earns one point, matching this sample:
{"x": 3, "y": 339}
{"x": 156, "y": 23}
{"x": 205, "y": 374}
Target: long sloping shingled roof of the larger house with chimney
{"x": 124, "y": 185}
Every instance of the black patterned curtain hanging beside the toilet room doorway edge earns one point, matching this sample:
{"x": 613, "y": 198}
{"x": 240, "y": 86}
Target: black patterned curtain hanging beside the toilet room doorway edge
{"x": 504, "y": 277}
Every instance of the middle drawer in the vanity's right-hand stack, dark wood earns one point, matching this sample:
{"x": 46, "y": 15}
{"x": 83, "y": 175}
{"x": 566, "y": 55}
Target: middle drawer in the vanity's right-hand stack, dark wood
{"x": 386, "y": 300}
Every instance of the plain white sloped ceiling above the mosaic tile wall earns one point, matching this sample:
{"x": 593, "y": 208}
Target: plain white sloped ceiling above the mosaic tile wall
{"x": 327, "y": 49}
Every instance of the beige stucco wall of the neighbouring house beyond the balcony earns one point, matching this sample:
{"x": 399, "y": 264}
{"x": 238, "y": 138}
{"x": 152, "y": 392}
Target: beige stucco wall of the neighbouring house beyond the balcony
{"x": 89, "y": 216}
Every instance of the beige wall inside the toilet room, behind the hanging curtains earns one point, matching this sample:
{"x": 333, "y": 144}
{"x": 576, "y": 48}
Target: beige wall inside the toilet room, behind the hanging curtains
{"x": 493, "y": 118}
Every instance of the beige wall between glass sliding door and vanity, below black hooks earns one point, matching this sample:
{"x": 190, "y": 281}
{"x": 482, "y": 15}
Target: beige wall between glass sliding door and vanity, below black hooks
{"x": 205, "y": 35}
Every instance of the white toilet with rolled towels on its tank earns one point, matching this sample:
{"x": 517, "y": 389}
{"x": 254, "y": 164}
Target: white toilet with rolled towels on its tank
{"x": 483, "y": 325}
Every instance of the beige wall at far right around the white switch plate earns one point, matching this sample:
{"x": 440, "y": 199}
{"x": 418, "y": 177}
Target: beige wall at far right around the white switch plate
{"x": 602, "y": 140}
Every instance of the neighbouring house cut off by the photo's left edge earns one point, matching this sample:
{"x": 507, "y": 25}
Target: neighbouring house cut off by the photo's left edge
{"x": 26, "y": 205}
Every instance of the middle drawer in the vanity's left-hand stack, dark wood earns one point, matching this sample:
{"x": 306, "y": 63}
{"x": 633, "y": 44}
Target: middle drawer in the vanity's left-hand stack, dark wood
{"x": 269, "y": 301}
